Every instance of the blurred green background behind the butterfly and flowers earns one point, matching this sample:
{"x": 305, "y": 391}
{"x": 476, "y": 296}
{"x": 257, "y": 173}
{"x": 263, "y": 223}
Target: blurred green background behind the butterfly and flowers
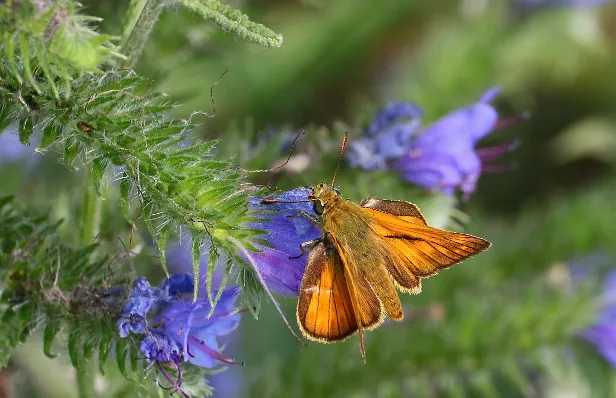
{"x": 492, "y": 326}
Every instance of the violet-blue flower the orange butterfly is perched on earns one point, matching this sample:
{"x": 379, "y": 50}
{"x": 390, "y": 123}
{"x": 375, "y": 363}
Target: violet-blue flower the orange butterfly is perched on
{"x": 281, "y": 262}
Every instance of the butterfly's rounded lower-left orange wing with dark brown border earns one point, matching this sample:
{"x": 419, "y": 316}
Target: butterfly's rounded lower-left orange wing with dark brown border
{"x": 325, "y": 310}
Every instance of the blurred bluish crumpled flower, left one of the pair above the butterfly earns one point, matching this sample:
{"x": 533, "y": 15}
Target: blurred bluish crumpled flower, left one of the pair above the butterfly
{"x": 387, "y": 137}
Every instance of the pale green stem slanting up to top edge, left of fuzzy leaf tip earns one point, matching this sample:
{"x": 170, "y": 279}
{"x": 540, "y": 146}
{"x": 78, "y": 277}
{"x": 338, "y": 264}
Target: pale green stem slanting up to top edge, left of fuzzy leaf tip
{"x": 139, "y": 21}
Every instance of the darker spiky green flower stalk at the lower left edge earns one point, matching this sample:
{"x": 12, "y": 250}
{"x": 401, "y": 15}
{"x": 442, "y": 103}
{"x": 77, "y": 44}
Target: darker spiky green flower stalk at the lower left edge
{"x": 65, "y": 292}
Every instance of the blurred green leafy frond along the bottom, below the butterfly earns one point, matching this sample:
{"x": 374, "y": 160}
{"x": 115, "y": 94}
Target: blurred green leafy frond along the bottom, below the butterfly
{"x": 437, "y": 352}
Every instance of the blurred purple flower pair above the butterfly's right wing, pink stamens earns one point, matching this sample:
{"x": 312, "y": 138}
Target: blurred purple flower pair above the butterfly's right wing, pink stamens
{"x": 443, "y": 156}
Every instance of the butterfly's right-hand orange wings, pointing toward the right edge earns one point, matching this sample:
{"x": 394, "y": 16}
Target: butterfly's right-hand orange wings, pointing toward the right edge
{"x": 416, "y": 249}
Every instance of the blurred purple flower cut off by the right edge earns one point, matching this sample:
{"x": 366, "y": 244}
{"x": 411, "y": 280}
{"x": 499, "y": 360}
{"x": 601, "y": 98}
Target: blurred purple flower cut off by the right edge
{"x": 603, "y": 333}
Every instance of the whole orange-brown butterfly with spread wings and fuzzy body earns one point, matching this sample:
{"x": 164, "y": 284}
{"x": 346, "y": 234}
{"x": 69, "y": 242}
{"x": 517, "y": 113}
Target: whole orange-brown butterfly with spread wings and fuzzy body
{"x": 365, "y": 253}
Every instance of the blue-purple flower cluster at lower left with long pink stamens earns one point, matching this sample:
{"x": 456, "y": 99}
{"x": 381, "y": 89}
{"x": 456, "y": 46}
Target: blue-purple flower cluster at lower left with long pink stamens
{"x": 174, "y": 327}
